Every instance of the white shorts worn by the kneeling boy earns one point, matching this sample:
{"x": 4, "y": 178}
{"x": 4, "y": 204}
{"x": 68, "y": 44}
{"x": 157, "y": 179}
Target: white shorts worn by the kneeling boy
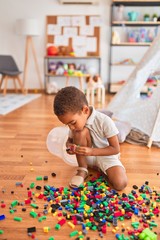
{"x": 104, "y": 162}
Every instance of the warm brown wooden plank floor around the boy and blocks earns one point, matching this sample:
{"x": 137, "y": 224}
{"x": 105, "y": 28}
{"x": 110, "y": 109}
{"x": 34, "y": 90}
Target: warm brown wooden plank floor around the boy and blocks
{"x": 24, "y": 156}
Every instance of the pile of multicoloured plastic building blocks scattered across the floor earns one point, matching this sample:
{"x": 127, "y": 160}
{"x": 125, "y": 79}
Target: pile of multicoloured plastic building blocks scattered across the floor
{"x": 94, "y": 207}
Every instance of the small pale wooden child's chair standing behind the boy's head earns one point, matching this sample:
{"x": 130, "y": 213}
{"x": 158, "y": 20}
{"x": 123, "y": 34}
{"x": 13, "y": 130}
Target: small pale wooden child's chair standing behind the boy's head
{"x": 95, "y": 85}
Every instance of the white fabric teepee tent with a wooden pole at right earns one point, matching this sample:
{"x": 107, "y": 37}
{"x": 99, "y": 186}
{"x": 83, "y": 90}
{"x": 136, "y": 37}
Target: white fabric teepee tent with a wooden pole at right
{"x": 127, "y": 104}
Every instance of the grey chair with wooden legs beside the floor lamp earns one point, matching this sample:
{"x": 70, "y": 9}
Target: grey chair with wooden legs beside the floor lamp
{"x": 9, "y": 70}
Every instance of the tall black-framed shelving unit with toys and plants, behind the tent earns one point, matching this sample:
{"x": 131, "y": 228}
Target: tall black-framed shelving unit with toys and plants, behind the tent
{"x": 131, "y": 36}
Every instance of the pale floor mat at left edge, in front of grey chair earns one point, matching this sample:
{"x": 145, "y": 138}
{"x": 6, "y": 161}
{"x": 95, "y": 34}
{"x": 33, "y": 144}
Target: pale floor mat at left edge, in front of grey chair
{"x": 11, "y": 102}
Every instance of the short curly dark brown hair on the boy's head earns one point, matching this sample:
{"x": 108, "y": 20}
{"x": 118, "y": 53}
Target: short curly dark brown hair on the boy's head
{"x": 69, "y": 99}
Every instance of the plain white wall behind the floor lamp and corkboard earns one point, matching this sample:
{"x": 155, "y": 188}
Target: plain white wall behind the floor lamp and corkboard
{"x": 13, "y": 44}
